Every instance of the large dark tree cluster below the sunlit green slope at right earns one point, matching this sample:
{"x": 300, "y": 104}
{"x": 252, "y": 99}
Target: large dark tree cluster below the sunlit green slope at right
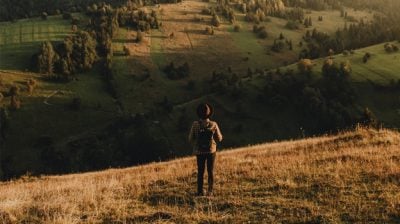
{"x": 326, "y": 104}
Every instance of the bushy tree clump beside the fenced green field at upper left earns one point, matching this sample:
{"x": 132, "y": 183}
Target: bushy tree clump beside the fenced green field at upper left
{"x": 74, "y": 54}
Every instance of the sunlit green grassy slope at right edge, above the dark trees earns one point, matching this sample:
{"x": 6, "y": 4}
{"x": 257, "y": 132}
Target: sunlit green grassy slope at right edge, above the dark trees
{"x": 370, "y": 79}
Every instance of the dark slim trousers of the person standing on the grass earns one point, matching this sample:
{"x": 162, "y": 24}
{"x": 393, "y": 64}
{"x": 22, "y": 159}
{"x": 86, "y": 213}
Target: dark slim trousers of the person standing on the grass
{"x": 202, "y": 160}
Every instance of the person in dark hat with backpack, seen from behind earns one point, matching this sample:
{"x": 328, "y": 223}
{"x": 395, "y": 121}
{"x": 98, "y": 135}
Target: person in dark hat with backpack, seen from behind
{"x": 203, "y": 136}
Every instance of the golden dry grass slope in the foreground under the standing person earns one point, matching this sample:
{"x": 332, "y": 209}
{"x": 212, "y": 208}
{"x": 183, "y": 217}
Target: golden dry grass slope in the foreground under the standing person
{"x": 351, "y": 177}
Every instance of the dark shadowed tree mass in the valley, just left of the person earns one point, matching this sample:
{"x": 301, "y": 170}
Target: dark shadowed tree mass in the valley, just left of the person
{"x": 128, "y": 141}
